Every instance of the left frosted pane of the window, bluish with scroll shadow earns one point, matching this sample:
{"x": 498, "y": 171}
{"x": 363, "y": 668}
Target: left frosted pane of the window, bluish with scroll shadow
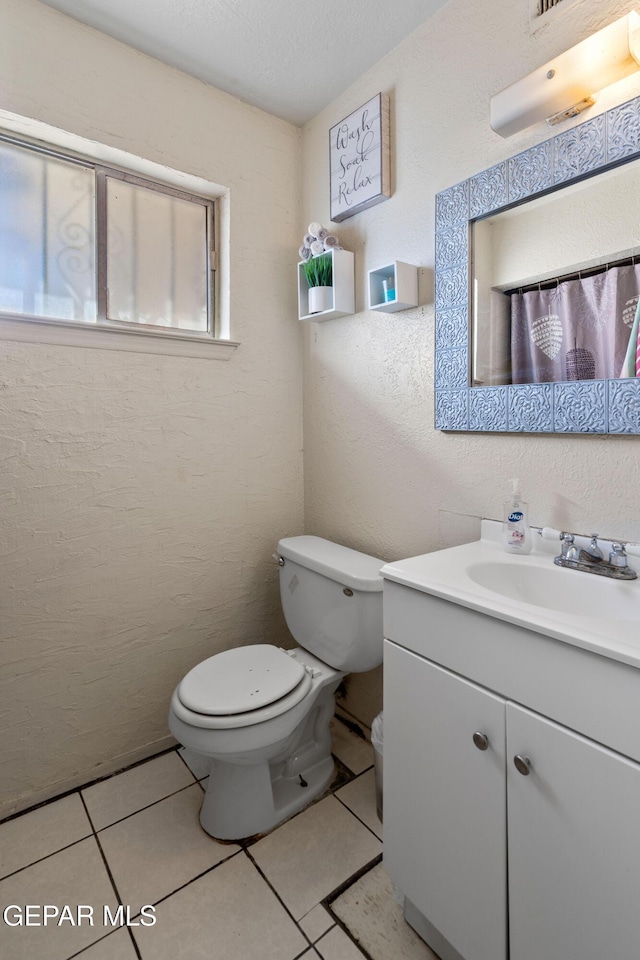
{"x": 47, "y": 235}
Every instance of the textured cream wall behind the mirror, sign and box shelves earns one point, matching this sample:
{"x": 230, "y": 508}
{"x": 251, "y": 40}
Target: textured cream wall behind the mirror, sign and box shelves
{"x": 377, "y": 475}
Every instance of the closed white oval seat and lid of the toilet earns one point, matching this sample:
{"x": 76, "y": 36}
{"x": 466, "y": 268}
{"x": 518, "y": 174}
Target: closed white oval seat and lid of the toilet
{"x": 241, "y": 686}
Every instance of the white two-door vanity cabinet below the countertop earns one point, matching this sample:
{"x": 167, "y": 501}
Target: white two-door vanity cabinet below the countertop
{"x": 496, "y": 862}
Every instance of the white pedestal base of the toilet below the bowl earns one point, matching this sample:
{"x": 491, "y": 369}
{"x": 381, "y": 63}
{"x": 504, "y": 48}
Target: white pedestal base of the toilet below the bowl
{"x": 243, "y": 800}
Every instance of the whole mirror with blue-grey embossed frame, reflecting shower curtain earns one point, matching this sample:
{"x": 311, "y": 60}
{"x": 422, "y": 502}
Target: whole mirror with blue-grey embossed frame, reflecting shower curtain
{"x": 548, "y": 226}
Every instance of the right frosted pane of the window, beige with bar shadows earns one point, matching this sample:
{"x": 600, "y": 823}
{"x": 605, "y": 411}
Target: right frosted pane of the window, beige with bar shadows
{"x": 156, "y": 258}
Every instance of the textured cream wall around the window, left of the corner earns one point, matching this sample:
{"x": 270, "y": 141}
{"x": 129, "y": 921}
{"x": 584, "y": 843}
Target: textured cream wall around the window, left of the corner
{"x": 143, "y": 495}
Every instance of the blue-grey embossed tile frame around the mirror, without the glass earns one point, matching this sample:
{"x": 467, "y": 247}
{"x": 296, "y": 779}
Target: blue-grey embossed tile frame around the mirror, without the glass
{"x": 587, "y": 406}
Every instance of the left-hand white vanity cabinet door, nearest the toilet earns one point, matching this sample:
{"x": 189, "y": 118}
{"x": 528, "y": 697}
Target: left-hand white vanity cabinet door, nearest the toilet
{"x": 444, "y": 802}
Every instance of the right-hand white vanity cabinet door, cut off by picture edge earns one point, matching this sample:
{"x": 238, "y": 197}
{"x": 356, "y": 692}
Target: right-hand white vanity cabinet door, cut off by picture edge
{"x": 574, "y": 845}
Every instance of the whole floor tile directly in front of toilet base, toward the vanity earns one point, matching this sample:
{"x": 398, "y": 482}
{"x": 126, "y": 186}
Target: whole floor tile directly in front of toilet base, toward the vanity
{"x": 309, "y": 856}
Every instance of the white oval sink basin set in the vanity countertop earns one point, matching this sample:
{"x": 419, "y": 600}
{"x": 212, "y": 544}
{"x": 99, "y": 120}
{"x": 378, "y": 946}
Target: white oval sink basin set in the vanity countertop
{"x": 568, "y": 591}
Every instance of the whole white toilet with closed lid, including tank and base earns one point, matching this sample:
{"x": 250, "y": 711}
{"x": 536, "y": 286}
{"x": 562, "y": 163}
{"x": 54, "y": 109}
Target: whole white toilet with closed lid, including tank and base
{"x": 263, "y": 713}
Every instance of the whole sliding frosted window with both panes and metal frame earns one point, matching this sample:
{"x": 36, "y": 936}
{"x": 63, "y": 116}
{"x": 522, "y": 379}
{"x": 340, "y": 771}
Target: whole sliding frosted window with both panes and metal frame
{"x": 85, "y": 243}
